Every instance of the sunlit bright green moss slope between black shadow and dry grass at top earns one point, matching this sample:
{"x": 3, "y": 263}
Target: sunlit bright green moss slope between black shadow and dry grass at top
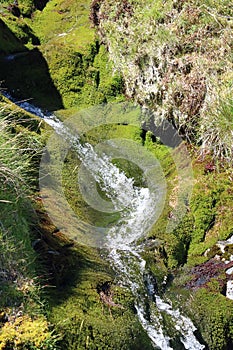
{"x": 77, "y": 63}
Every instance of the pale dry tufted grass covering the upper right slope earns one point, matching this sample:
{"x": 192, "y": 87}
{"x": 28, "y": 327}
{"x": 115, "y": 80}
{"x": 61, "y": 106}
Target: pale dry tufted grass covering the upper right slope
{"x": 175, "y": 57}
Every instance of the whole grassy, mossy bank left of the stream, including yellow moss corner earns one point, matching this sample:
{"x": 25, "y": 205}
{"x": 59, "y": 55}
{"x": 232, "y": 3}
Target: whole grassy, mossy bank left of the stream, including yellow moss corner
{"x": 31, "y": 318}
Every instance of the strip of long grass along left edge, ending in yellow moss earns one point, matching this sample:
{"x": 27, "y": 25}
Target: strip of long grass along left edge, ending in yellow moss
{"x": 23, "y": 324}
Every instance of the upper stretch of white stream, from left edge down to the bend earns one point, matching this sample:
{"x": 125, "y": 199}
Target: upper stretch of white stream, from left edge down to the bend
{"x": 137, "y": 205}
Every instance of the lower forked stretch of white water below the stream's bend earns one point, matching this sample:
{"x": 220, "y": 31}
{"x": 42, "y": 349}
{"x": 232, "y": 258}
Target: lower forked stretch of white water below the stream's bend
{"x": 131, "y": 269}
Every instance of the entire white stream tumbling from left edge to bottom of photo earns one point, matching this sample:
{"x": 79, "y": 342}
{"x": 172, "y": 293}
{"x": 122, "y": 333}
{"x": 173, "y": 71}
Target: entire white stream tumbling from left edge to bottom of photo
{"x": 136, "y": 206}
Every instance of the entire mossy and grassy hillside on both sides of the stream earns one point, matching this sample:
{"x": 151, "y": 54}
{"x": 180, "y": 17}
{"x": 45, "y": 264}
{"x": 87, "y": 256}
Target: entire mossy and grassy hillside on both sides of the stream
{"x": 173, "y": 60}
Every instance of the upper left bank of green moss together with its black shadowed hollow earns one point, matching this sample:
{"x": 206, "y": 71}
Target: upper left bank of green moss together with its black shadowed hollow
{"x": 65, "y": 64}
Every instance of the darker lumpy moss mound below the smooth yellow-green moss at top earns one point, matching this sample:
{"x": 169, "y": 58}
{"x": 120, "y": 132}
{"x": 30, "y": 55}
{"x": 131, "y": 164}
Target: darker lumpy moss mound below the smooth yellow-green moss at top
{"x": 83, "y": 79}
